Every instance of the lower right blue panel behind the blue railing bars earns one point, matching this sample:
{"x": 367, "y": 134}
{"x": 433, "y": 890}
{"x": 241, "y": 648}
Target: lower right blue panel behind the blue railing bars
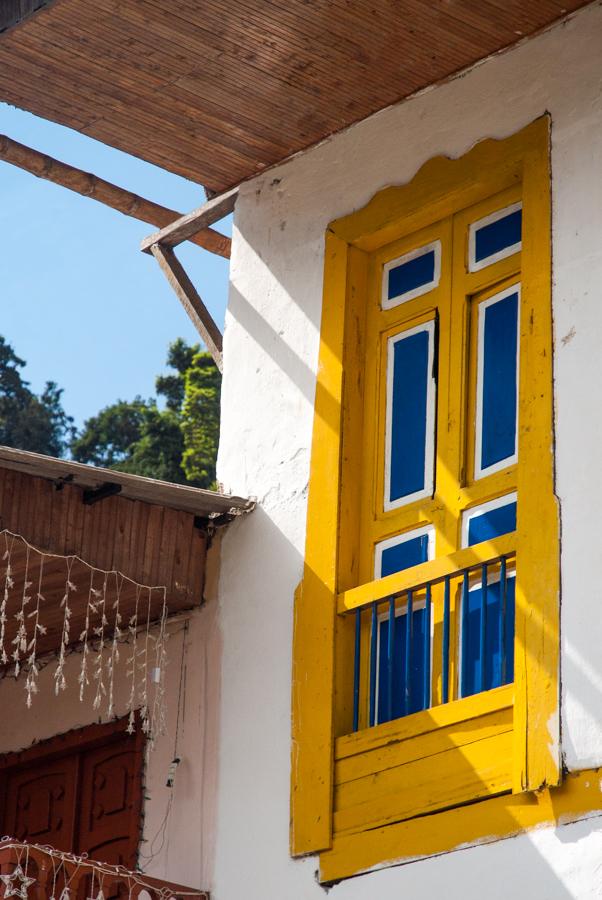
{"x": 494, "y": 657}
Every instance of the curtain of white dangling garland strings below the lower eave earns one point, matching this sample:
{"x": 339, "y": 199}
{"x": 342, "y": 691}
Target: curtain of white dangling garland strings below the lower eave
{"x": 51, "y": 605}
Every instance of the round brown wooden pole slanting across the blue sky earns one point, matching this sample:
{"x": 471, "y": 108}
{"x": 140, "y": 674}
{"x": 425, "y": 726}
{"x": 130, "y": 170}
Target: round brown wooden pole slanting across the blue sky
{"x": 89, "y": 185}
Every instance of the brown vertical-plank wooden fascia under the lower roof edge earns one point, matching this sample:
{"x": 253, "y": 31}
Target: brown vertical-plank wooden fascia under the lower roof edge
{"x": 150, "y": 544}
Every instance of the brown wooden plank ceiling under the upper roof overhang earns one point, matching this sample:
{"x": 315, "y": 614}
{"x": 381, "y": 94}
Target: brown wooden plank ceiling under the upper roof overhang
{"x": 219, "y": 91}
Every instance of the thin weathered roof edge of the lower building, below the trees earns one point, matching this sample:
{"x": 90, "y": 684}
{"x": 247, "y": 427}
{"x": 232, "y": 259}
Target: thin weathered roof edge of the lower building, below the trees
{"x": 199, "y": 502}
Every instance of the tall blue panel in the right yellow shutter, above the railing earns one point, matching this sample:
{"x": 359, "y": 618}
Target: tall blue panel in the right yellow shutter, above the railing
{"x": 498, "y": 427}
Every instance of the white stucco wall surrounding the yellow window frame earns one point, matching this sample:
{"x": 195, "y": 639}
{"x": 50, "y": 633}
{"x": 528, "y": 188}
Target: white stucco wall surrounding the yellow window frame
{"x": 271, "y": 348}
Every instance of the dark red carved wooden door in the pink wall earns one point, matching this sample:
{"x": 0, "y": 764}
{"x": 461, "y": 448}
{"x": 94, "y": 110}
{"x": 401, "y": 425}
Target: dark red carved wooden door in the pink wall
{"x": 80, "y": 792}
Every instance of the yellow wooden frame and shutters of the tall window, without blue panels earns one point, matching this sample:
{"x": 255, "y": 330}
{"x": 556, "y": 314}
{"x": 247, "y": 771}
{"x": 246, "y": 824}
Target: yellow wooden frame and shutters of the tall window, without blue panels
{"x": 442, "y": 193}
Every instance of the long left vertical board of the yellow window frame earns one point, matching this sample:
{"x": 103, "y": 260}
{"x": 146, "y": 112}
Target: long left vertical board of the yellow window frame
{"x": 313, "y": 649}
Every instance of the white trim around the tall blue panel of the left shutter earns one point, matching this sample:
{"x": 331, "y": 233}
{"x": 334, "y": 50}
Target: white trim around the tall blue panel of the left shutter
{"x": 431, "y": 393}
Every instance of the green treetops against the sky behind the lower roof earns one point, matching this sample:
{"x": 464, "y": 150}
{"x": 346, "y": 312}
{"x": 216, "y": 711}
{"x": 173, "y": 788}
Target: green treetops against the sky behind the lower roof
{"x": 177, "y": 443}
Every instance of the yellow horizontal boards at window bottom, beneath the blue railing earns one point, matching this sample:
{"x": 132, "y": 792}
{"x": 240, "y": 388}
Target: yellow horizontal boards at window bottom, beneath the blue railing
{"x": 455, "y": 775}
